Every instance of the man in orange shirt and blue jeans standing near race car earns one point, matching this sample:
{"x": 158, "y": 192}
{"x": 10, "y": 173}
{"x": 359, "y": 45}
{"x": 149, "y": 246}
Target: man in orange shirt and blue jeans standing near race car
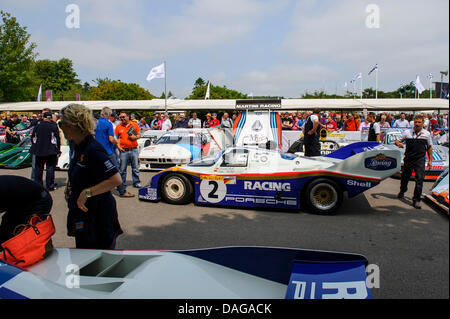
{"x": 127, "y": 133}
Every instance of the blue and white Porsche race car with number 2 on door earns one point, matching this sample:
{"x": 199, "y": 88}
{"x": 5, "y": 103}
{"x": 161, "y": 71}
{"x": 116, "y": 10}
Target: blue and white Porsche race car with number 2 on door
{"x": 253, "y": 177}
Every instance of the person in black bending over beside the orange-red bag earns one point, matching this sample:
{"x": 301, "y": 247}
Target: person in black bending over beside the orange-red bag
{"x": 20, "y": 198}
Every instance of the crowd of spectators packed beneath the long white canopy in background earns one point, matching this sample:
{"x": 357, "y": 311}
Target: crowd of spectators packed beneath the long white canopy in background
{"x": 290, "y": 121}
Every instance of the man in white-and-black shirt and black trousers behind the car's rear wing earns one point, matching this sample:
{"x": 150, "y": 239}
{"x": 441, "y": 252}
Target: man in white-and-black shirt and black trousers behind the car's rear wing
{"x": 418, "y": 144}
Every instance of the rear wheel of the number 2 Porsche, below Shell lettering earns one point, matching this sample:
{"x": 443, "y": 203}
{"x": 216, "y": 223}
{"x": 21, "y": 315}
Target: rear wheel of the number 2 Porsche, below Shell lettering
{"x": 323, "y": 196}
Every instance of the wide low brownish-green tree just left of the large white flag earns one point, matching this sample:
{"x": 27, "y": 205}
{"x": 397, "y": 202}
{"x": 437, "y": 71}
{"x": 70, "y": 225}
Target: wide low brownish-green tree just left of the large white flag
{"x": 107, "y": 89}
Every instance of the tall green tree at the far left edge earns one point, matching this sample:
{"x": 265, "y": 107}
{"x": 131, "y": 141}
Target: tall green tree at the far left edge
{"x": 16, "y": 60}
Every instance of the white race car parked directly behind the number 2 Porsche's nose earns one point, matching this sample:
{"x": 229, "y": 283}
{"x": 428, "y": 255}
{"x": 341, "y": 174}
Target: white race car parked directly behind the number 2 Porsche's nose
{"x": 181, "y": 146}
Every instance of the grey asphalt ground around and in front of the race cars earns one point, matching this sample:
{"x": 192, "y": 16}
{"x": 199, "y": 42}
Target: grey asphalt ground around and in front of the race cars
{"x": 410, "y": 246}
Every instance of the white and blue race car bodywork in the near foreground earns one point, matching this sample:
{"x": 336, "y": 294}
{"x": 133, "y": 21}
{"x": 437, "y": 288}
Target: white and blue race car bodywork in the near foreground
{"x": 213, "y": 273}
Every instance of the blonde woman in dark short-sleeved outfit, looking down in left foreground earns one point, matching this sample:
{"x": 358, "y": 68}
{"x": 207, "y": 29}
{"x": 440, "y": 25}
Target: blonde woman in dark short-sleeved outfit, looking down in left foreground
{"x": 92, "y": 218}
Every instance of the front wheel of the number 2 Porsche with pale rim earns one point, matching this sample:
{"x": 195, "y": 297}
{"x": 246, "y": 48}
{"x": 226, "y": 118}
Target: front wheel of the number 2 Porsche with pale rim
{"x": 176, "y": 189}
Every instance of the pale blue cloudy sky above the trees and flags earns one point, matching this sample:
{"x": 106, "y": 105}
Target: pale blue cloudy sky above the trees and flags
{"x": 265, "y": 48}
